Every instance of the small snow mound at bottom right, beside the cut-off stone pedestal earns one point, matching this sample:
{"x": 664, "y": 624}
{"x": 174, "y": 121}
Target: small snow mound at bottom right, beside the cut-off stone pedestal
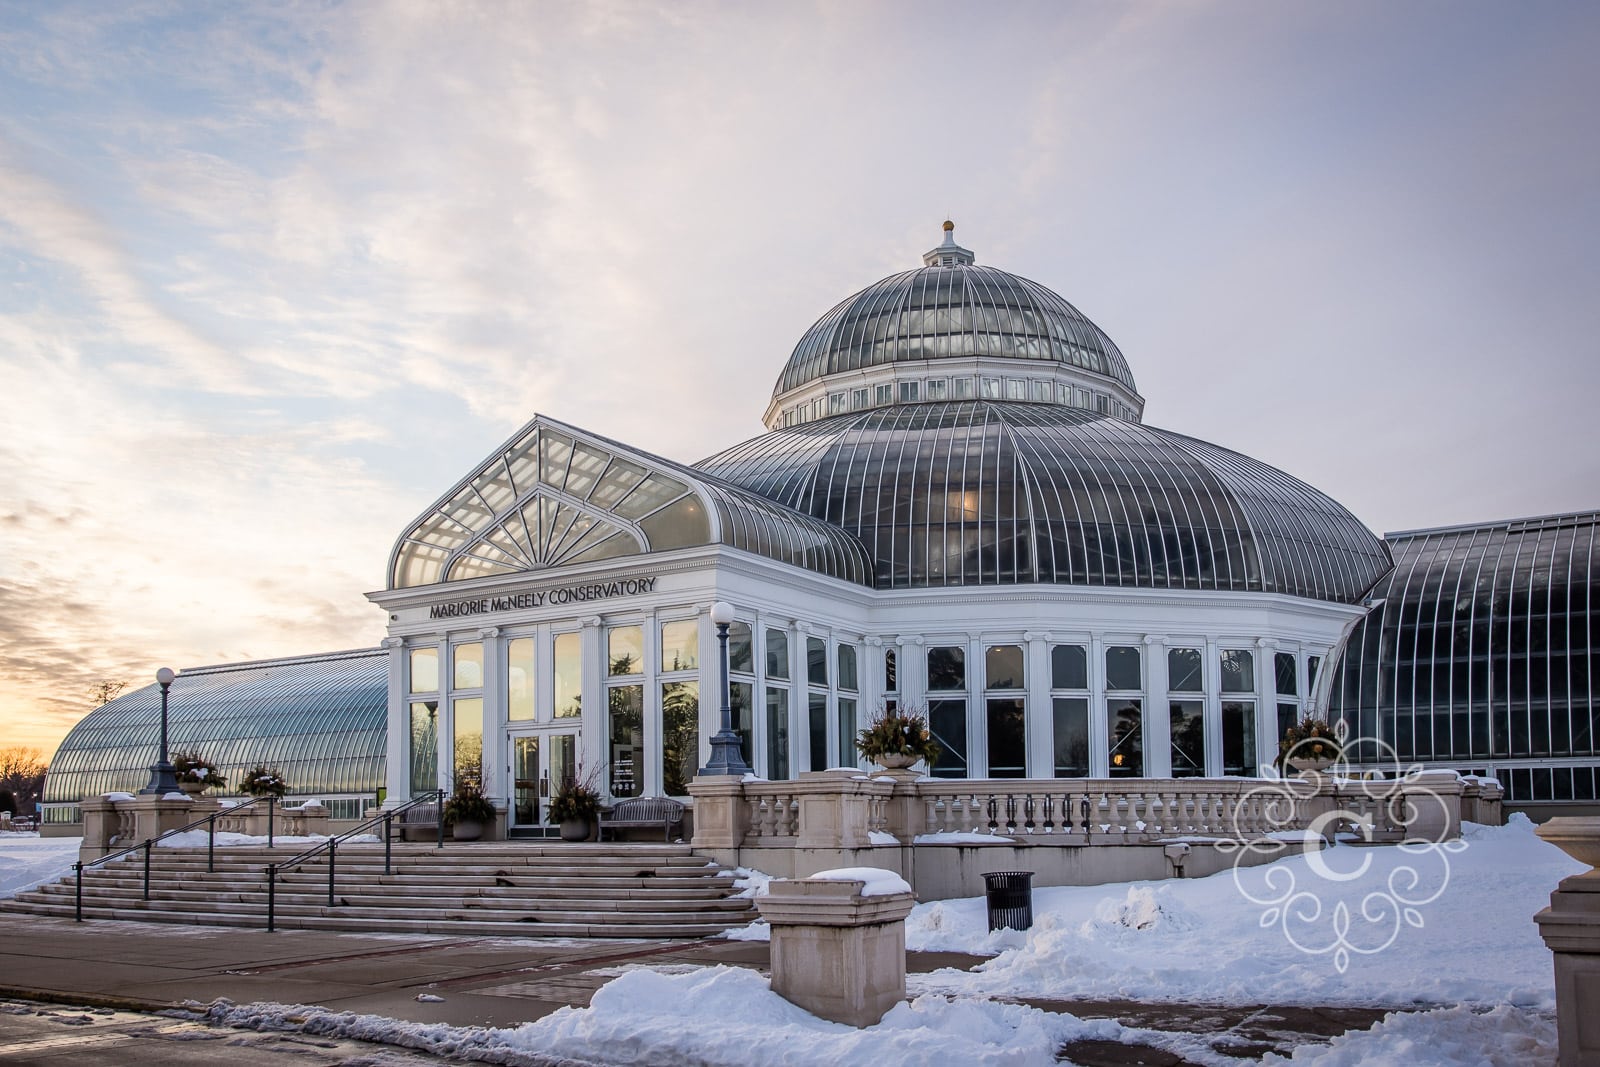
{"x": 1449, "y": 1037}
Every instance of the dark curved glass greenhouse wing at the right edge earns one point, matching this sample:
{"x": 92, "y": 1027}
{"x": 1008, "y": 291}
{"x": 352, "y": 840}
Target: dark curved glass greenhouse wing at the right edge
{"x": 1482, "y": 645}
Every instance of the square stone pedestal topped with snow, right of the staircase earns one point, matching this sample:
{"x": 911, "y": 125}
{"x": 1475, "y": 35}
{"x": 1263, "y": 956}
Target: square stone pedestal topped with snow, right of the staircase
{"x": 838, "y": 954}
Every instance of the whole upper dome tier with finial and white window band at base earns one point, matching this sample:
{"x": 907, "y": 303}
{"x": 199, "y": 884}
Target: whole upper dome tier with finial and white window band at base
{"x": 953, "y": 330}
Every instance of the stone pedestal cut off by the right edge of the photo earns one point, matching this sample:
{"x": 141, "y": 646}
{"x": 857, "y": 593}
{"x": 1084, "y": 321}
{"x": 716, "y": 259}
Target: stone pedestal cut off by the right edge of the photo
{"x": 1572, "y": 930}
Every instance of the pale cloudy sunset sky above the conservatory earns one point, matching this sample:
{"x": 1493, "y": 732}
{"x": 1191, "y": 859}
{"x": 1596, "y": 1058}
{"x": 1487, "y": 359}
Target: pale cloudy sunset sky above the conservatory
{"x": 273, "y": 278}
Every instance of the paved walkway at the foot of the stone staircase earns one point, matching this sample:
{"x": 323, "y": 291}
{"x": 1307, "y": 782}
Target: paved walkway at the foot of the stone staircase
{"x": 484, "y": 981}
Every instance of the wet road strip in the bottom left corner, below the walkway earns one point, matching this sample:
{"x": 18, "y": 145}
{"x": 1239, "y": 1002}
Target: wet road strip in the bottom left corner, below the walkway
{"x": 52, "y": 1036}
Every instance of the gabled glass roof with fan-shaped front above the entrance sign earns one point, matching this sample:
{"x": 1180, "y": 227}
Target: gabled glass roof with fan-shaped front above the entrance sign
{"x": 556, "y": 495}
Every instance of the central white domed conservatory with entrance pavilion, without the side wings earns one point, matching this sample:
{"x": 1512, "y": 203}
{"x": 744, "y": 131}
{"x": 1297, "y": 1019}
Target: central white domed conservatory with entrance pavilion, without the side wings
{"x": 956, "y": 506}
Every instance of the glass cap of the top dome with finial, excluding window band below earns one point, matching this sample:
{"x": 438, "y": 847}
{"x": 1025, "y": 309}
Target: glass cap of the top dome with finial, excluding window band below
{"x": 951, "y": 310}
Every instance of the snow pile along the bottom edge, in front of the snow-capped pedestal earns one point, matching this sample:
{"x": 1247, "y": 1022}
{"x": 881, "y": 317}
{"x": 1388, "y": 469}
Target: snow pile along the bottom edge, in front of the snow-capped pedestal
{"x": 647, "y": 1018}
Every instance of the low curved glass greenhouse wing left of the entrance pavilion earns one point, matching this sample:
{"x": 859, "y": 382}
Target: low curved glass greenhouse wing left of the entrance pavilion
{"x": 318, "y": 719}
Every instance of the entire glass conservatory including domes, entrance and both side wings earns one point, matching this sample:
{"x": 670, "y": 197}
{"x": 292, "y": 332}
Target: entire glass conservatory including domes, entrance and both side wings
{"x": 956, "y": 506}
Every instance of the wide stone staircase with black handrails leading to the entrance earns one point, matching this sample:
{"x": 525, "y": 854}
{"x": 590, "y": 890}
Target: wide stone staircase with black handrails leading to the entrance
{"x": 529, "y": 890}
